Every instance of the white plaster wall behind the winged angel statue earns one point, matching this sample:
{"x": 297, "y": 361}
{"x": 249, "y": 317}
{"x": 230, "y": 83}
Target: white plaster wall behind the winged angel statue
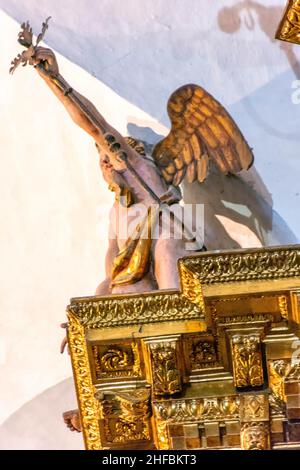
{"x": 130, "y": 55}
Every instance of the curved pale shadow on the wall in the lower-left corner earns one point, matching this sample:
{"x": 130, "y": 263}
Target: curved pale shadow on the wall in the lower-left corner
{"x": 38, "y": 425}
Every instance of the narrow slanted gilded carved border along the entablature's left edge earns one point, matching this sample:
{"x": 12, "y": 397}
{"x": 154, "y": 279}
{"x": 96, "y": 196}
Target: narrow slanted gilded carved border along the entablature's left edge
{"x": 88, "y": 405}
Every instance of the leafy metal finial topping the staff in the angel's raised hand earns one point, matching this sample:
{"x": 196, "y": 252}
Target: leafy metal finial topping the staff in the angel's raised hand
{"x": 25, "y": 37}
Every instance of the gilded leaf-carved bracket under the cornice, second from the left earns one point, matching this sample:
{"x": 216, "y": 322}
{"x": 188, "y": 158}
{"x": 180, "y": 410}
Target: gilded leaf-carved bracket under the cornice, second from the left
{"x": 247, "y": 360}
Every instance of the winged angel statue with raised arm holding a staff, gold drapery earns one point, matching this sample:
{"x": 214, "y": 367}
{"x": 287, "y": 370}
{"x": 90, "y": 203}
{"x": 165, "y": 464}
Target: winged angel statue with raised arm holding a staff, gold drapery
{"x": 143, "y": 257}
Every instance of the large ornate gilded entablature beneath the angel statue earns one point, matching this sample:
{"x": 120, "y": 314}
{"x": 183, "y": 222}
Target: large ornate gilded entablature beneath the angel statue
{"x": 168, "y": 357}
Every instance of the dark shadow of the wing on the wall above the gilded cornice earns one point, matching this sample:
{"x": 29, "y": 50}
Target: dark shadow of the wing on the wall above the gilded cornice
{"x": 238, "y": 209}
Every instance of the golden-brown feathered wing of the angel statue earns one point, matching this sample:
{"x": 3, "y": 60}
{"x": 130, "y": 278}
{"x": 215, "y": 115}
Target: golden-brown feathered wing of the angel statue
{"x": 201, "y": 130}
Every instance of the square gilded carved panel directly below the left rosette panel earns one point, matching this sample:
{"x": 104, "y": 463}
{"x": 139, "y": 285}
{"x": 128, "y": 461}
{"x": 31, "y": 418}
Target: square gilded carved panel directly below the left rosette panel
{"x": 125, "y": 416}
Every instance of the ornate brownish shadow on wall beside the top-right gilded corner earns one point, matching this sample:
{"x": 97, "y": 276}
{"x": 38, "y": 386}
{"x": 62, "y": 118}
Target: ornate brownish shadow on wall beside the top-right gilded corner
{"x": 230, "y": 20}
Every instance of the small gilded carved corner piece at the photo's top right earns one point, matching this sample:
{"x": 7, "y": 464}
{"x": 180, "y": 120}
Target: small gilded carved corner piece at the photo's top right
{"x": 289, "y": 28}
